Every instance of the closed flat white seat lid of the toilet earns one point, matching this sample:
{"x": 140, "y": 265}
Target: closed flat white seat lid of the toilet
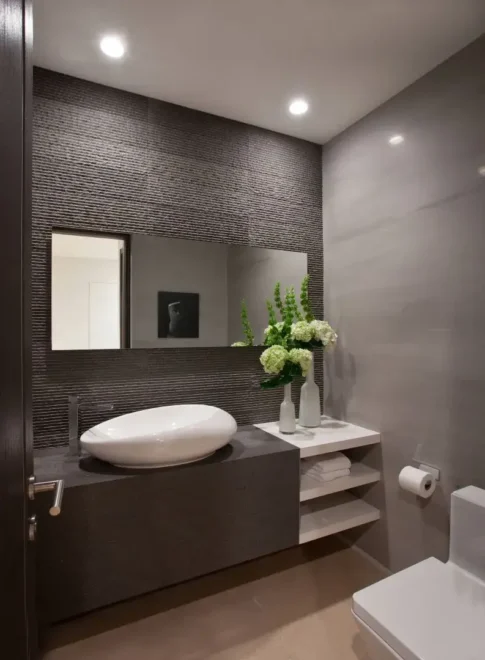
{"x": 431, "y": 611}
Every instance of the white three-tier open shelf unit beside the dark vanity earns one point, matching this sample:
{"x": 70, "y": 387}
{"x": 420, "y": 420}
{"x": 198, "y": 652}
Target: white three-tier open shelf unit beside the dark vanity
{"x": 325, "y": 506}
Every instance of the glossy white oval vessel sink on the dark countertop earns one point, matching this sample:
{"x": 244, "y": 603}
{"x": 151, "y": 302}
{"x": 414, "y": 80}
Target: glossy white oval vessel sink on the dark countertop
{"x": 160, "y": 437}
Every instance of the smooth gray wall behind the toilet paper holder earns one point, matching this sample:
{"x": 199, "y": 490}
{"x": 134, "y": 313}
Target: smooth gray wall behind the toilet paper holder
{"x": 404, "y": 233}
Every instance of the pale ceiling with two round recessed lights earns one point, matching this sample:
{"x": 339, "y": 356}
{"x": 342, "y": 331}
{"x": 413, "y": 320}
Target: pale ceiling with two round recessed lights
{"x": 246, "y": 59}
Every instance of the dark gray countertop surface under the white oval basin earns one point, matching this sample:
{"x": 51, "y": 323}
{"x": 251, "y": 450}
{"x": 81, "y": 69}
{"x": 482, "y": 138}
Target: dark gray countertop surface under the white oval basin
{"x": 55, "y": 463}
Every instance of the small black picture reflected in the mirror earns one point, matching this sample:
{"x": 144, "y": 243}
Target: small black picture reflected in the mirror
{"x": 178, "y": 315}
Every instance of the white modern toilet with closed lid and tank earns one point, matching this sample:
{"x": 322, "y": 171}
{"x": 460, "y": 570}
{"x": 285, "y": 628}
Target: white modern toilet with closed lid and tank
{"x": 433, "y": 611}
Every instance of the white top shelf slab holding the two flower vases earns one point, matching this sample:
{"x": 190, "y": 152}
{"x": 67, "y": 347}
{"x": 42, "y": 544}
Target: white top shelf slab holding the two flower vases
{"x": 332, "y": 435}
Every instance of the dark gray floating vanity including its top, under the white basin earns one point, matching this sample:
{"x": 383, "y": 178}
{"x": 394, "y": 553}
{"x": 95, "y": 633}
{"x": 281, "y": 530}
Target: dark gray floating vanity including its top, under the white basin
{"x": 122, "y": 534}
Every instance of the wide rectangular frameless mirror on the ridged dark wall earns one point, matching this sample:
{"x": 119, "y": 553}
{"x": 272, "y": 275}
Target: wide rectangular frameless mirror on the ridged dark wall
{"x": 137, "y": 291}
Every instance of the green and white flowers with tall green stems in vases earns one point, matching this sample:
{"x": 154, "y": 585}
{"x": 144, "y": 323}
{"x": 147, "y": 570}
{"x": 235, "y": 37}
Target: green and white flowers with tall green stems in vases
{"x": 291, "y": 340}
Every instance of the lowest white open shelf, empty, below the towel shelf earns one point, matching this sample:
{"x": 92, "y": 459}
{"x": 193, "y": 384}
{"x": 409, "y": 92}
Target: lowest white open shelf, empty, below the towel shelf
{"x": 334, "y": 514}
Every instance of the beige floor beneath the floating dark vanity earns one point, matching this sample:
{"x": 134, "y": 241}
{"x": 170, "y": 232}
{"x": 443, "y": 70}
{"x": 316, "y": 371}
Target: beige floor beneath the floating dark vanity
{"x": 290, "y": 606}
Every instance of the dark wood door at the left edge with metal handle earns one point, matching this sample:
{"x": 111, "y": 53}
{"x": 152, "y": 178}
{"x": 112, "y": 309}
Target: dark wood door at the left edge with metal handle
{"x": 17, "y": 601}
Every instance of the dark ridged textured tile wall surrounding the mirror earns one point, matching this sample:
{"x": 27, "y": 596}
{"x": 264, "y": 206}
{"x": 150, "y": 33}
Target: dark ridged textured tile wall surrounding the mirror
{"x": 108, "y": 160}
